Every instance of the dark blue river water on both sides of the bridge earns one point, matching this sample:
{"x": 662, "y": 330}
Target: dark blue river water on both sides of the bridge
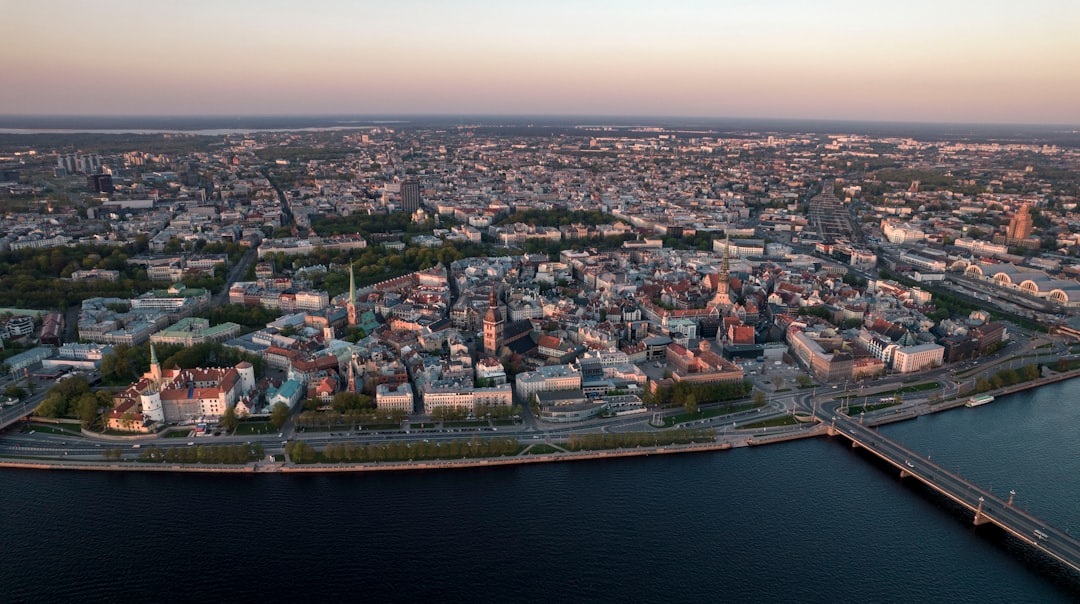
{"x": 806, "y": 521}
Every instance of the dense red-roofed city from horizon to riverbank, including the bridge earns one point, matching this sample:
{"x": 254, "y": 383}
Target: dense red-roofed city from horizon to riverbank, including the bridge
{"x": 396, "y": 298}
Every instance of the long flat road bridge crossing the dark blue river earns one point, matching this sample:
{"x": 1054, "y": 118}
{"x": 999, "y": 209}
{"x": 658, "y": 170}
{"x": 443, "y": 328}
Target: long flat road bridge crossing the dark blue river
{"x": 985, "y": 506}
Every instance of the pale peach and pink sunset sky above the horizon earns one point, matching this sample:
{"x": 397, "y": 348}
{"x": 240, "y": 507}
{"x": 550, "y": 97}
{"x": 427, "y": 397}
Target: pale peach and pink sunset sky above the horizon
{"x": 942, "y": 61}
